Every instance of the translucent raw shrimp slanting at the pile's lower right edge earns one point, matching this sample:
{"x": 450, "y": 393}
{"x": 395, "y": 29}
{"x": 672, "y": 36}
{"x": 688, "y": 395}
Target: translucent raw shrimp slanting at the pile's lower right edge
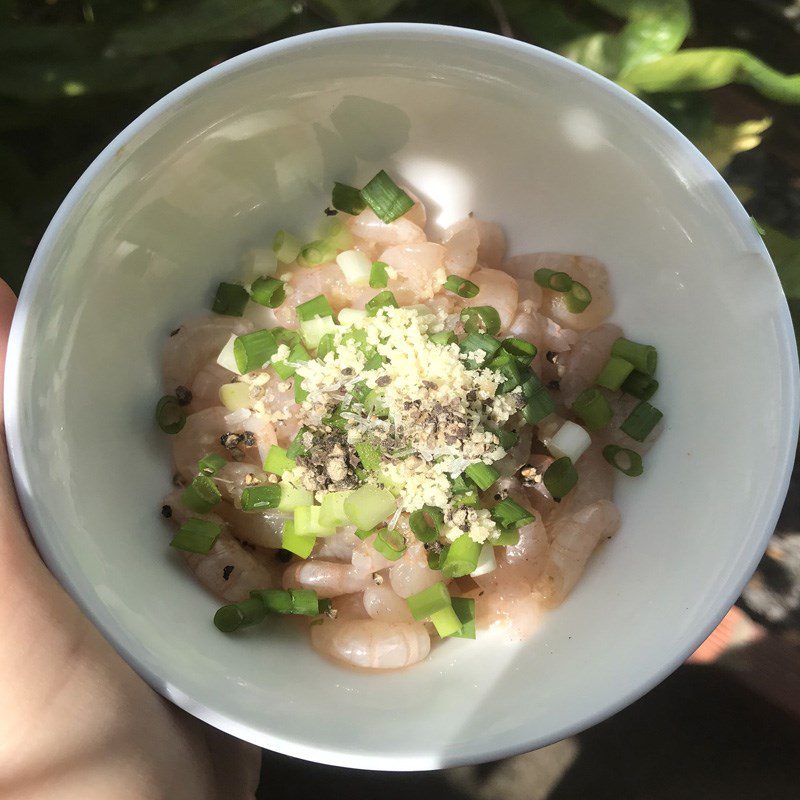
{"x": 574, "y": 538}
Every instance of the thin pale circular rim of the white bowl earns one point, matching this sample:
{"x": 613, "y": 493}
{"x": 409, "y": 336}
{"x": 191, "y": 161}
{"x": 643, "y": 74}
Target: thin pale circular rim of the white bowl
{"x": 21, "y": 467}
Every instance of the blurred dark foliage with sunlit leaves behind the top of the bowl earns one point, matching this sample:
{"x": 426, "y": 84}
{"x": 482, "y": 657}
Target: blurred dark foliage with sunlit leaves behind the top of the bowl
{"x": 73, "y": 73}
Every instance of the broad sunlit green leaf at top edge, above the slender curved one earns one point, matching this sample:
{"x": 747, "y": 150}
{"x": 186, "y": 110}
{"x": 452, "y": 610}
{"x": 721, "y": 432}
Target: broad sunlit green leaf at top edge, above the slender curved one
{"x": 654, "y": 28}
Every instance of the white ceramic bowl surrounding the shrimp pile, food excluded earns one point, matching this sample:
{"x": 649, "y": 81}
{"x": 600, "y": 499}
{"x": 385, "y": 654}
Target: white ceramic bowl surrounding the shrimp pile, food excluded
{"x": 566, "y": 161}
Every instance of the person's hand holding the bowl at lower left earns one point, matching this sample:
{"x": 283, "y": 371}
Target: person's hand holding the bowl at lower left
{"x": 75, "y": 720}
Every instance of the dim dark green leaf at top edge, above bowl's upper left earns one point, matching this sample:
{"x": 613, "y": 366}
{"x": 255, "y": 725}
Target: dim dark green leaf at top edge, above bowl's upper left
{"x": 190, "y": 23}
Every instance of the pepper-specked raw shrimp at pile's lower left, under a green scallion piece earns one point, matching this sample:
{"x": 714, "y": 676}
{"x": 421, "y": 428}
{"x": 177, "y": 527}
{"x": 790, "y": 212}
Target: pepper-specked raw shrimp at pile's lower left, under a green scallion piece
{"x": 229, "y": 569}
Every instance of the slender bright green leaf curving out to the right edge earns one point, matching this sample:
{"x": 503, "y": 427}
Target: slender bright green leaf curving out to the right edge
{"x": 709, "y": 68}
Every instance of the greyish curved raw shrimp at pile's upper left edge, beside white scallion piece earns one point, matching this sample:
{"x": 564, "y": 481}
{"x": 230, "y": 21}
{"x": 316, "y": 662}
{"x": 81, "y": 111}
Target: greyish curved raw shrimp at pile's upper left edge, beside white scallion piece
{"x": 194, "y": 344}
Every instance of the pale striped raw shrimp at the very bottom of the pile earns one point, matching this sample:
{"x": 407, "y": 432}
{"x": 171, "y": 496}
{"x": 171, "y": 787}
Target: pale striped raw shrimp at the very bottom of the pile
{"x": 372, "y": 644}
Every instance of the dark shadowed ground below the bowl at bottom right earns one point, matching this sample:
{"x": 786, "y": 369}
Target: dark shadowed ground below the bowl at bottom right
{"x": 700, "y": 735}
